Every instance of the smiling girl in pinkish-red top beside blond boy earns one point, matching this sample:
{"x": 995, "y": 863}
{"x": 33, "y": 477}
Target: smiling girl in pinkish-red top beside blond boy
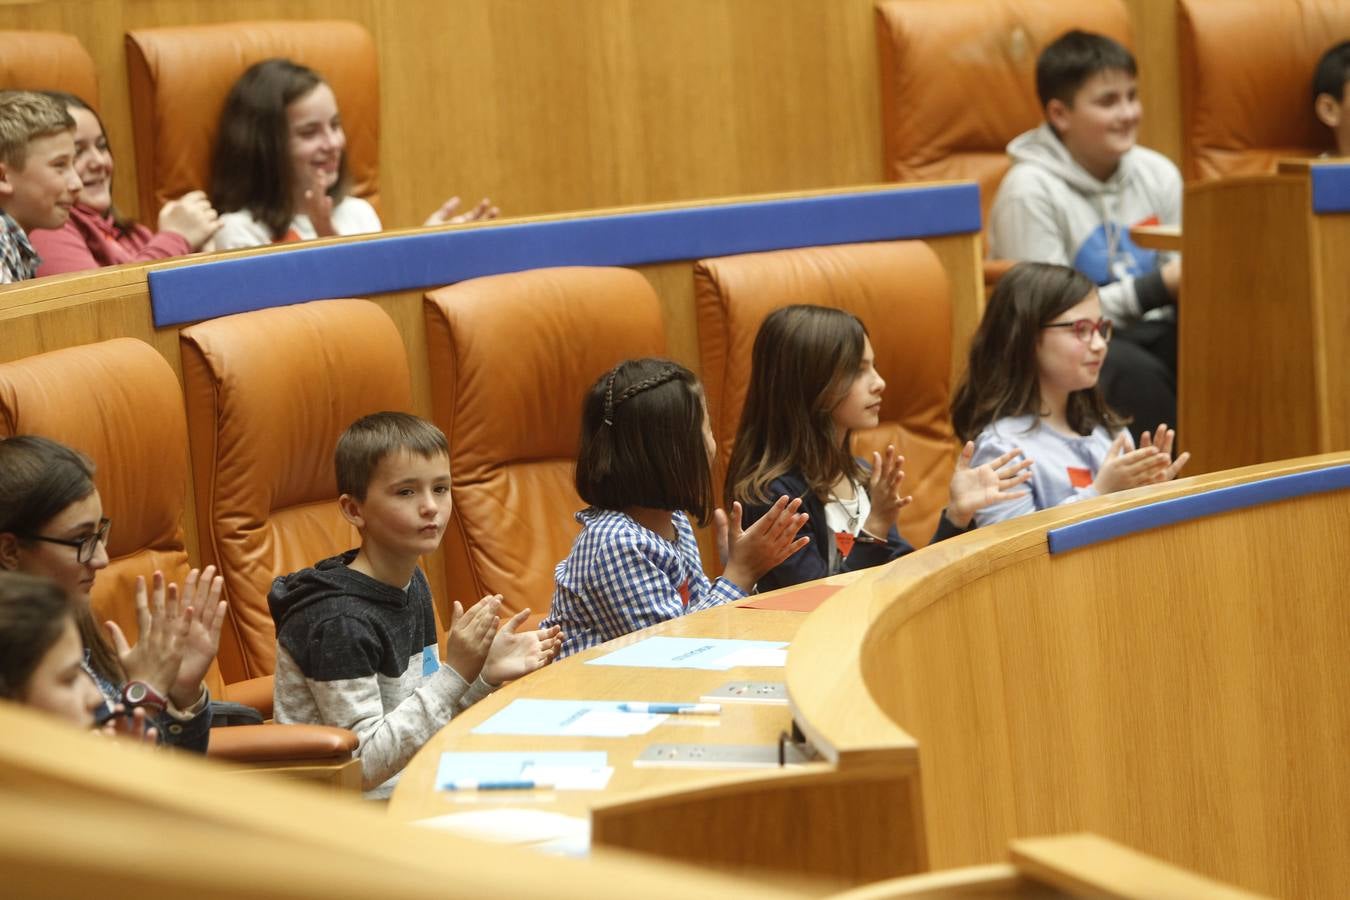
{"x": 95, "y": 235}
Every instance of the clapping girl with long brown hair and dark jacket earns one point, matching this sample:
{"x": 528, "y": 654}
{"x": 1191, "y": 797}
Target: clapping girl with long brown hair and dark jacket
{"x": 813, "y": 384}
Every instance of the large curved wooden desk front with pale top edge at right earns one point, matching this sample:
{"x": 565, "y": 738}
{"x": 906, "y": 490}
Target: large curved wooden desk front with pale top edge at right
{"x": 1183, "y": 690}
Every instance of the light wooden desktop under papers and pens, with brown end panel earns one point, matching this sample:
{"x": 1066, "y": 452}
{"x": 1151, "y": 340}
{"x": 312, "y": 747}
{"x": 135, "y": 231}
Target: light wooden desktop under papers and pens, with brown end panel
{"x": 809, "y": 821}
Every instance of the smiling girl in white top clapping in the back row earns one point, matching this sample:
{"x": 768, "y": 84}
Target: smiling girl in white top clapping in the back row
{"x": 279, "y": 171}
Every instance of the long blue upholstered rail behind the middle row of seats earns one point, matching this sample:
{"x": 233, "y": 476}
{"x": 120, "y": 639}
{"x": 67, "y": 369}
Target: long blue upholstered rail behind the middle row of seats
{"x": 407, "y": 262}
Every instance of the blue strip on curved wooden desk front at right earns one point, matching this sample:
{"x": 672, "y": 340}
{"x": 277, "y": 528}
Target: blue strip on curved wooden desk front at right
{"x": 1141, "y": 519}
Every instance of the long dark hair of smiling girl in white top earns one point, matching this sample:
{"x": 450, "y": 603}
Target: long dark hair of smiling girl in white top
{"x": 250, "y": 165}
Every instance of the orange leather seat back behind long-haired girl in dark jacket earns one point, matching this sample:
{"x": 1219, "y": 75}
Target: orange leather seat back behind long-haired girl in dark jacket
{"x": 902, "y": 295}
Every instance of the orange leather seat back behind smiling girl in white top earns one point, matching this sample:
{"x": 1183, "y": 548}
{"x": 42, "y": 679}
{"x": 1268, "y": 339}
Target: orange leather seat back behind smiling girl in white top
{"x": 180, "y": 78}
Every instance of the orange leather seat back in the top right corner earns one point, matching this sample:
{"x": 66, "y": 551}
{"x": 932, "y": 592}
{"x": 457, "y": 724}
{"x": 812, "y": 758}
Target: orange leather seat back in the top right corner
{"x": 1247, "y": 82}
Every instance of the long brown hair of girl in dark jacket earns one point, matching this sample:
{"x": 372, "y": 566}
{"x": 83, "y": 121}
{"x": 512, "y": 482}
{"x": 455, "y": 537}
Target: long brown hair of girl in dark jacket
{"x": 805, "y": 360}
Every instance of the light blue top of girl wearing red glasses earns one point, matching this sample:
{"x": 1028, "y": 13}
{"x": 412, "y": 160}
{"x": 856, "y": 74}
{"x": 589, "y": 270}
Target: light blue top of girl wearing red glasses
{"x": 1059, "y": 462}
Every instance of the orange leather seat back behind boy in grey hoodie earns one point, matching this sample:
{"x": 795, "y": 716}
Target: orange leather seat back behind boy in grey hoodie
{"x": 959, "y": 80}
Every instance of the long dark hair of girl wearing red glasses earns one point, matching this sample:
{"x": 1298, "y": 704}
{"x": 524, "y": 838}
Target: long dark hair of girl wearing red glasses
{"x": 1002, "y": 377}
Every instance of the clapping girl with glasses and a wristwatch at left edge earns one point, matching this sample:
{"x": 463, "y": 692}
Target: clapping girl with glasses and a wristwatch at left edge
{"x": 52, "y": 524}
